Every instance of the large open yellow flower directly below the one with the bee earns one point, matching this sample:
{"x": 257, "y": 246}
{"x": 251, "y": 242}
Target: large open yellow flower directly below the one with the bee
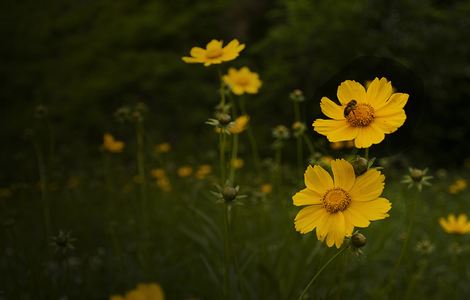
{"x": 336, "y": 205}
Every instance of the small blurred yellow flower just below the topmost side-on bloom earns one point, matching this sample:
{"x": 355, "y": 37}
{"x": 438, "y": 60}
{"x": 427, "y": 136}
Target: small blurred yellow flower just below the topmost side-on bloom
{"x": 242, "y": 81}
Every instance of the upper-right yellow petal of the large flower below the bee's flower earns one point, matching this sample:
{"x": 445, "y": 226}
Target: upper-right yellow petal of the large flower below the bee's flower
{"x": 369, "y": 186}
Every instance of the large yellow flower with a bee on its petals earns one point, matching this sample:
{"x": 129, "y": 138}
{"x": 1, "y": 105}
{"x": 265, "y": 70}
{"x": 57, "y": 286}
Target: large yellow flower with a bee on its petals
{"x": 363, "y": 116}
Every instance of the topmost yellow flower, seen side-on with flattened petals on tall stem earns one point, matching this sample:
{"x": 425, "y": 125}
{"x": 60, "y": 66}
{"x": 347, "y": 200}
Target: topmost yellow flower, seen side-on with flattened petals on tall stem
{"x": 215, "y": 53}
